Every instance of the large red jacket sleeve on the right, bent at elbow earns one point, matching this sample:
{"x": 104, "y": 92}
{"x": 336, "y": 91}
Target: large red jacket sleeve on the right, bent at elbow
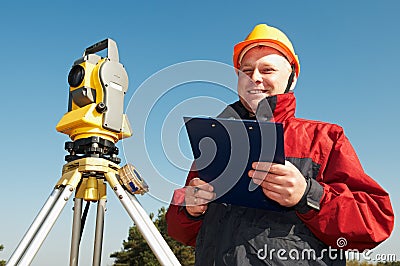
{"x": 355, "y": 212}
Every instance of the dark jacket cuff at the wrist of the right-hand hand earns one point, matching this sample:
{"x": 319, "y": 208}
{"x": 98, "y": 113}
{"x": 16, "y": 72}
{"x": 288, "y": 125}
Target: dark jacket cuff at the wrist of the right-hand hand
{"x": 311, "y": 197}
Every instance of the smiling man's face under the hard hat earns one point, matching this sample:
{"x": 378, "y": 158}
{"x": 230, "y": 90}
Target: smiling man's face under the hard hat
{"x": 263, "y": 72}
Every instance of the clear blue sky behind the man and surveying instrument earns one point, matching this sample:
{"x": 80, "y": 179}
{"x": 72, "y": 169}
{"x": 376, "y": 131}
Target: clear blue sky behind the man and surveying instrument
{"x": 349, "y": 70}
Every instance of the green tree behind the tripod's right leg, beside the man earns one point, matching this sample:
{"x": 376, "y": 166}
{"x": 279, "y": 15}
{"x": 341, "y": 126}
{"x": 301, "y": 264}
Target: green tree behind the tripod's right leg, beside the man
{"x": 136, "y": 251}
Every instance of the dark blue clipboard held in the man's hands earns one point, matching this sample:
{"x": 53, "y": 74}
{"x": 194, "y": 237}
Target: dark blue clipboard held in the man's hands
{"x": 224, "y": 150}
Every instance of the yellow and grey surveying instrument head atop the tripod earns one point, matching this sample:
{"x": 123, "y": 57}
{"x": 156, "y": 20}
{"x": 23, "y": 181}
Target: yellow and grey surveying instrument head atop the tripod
{"x": 104, "y": 84}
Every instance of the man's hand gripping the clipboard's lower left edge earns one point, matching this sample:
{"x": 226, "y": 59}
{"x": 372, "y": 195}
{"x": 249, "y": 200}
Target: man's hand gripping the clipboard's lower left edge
{"x": 197, "y": 196}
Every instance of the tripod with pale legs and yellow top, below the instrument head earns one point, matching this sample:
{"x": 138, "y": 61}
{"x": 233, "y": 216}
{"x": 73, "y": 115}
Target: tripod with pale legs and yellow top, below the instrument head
{"x": 91, "y": 164}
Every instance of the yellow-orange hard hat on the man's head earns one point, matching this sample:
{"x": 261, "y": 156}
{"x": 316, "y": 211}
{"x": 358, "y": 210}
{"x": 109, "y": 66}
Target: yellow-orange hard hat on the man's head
{"x": 265, "y": 35}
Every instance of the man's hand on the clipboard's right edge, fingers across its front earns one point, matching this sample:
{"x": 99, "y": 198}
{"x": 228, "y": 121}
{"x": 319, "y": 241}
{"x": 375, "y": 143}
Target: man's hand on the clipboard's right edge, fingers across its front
{"x": 282, "y": 183}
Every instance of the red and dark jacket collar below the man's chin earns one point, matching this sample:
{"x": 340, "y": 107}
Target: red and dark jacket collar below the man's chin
{"x": 277, "y": 108}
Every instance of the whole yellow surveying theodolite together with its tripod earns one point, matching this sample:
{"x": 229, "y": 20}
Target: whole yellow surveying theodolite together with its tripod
{"x": 95, "y": 122}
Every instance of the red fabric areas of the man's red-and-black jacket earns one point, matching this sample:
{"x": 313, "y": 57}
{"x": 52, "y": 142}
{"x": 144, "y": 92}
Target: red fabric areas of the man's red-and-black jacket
{"x": 351, "y": 204}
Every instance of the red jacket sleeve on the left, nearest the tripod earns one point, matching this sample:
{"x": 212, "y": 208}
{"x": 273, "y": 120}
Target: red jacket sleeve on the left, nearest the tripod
{"x": 179, "y": 225}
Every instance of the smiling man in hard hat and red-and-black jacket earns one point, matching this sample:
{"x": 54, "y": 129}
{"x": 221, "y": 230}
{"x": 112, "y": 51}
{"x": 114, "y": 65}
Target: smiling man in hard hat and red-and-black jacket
{"x": 331, "y": 204}
